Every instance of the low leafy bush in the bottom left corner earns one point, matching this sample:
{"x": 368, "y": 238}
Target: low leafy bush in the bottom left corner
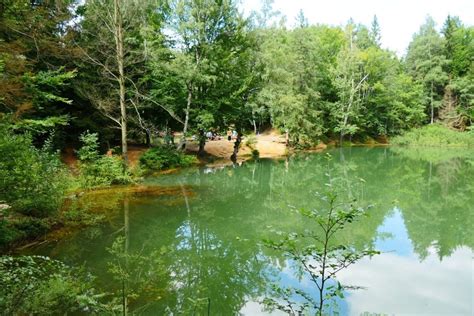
{"x": 42, "y": 286}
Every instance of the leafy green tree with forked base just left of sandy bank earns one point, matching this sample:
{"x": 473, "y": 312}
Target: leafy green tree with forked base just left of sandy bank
{"x": 209, "y": 43}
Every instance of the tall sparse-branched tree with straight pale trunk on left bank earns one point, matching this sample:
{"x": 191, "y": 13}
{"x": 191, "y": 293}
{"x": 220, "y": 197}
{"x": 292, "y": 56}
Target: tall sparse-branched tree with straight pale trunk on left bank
{"x": 110, "y": 39}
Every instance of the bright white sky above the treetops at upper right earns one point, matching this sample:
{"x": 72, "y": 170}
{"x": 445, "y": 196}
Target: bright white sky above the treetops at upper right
{"x": 398, "y": 19}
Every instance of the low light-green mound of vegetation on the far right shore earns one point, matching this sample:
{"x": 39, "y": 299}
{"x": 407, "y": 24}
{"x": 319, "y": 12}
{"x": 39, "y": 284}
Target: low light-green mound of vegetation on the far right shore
{"x": 435, "y": 136}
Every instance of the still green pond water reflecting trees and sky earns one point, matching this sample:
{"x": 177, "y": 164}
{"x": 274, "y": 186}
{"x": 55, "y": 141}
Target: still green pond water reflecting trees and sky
{"x": 206, "y": 231}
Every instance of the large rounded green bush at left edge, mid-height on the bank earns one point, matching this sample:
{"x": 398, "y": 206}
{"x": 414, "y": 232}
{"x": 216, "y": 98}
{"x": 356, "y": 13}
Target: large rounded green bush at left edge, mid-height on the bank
{"x": 32, "y": 181}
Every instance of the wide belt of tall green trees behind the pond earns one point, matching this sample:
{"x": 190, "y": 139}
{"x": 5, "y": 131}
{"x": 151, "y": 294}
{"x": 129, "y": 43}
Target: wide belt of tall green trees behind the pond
{"x": 193, "y": 66}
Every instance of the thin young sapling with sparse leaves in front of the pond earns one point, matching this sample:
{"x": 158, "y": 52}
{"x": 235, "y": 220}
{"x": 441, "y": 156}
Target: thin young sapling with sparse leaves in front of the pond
{"x": 318, "y": 256}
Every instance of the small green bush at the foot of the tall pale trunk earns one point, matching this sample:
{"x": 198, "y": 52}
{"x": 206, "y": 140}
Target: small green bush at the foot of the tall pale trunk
{"x": 99, "y": 170}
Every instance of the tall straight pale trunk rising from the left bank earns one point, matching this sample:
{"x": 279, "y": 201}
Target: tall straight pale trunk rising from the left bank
{"x": 121, "y": 78}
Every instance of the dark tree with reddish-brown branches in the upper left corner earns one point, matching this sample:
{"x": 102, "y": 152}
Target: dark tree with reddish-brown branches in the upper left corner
{"x": 34, "y": 68}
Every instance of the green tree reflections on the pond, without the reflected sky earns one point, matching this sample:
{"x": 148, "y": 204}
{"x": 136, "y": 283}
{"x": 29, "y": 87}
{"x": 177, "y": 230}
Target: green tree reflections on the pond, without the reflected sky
{"x": 207, "y": 232}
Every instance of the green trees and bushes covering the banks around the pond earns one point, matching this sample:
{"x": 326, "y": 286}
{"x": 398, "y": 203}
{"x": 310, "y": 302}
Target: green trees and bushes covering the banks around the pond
{"x": 92, "y": 77}
